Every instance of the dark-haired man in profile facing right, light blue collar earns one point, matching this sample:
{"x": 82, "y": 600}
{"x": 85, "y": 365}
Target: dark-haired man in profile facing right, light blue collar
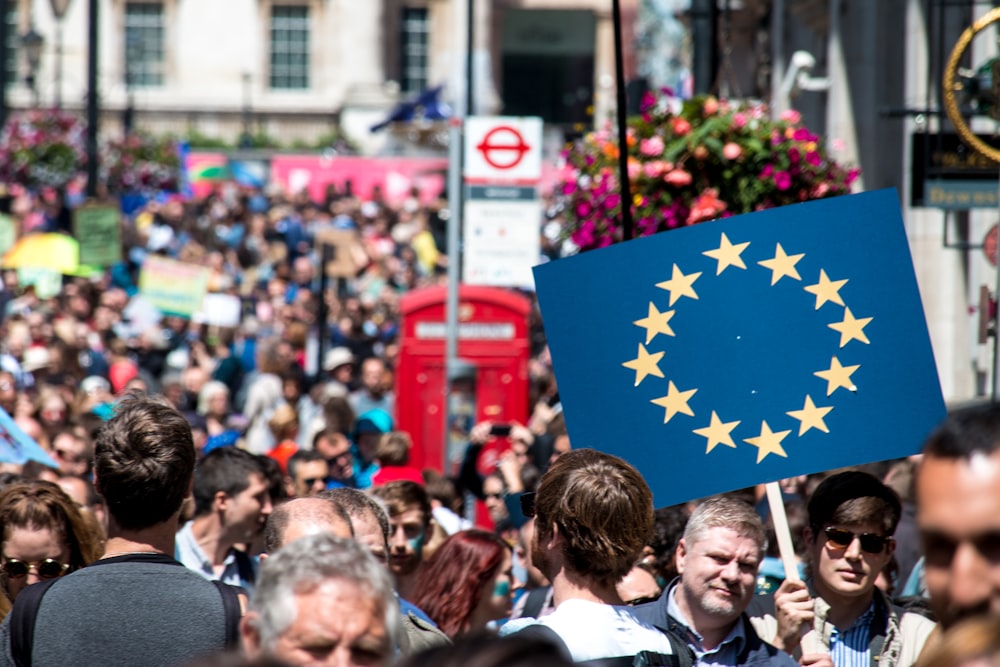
{"x": 231, "y": 506}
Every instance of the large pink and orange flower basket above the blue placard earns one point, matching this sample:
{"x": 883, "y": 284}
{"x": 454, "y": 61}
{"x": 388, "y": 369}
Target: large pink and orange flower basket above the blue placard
{"x": 694, "y": 161}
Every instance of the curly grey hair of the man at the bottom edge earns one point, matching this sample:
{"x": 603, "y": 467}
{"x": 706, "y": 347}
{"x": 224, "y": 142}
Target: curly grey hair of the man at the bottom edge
{"x": 306, "y": 563}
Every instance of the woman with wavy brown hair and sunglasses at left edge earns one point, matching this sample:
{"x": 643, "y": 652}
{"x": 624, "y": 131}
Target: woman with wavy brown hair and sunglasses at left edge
{"x": 43, "y": 535}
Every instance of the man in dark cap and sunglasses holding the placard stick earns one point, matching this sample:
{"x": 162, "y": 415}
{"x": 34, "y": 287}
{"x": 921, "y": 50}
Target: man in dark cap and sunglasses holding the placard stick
{"x": 839, "y": 617}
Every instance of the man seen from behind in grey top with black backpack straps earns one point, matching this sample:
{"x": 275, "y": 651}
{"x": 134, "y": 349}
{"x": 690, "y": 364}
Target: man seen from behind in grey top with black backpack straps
{"x": 136, "y": 605}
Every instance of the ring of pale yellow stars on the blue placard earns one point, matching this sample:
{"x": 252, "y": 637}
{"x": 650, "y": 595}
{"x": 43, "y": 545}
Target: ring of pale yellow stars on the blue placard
{"x": 677, "y": 401}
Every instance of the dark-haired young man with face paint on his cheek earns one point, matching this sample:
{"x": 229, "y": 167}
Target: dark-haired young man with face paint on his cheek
{"x": 409, "y": 522}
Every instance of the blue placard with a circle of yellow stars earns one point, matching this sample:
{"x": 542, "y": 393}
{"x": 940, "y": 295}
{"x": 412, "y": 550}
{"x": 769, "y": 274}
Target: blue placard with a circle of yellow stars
{"x": 748, "y": 349}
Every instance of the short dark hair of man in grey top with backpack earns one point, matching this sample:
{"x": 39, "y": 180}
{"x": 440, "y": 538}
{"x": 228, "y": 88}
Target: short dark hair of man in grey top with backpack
{"x": 144, "y": 461}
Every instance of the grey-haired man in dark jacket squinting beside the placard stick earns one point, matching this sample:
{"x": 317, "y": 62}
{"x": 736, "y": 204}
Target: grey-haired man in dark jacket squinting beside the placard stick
{"x": 716, "y": 559}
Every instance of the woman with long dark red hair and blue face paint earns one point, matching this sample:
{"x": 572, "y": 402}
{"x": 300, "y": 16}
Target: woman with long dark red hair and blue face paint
{"x": 466, "y": 584}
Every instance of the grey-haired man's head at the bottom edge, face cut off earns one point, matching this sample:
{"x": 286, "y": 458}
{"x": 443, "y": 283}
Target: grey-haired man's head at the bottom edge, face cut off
{"x": 322, "y": 600}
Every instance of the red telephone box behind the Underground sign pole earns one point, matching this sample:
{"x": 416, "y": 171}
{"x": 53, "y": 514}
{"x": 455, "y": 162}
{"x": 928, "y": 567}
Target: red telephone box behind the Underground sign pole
{"x": 490, "y": 382}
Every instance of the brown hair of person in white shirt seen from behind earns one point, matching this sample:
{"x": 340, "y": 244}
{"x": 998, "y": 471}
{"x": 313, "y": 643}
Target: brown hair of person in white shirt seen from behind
{"x": 603, "y": 509}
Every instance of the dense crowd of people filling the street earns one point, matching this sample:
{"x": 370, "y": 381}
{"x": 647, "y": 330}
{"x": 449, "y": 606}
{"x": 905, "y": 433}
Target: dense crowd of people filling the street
{"x": 217, "y": 496}
